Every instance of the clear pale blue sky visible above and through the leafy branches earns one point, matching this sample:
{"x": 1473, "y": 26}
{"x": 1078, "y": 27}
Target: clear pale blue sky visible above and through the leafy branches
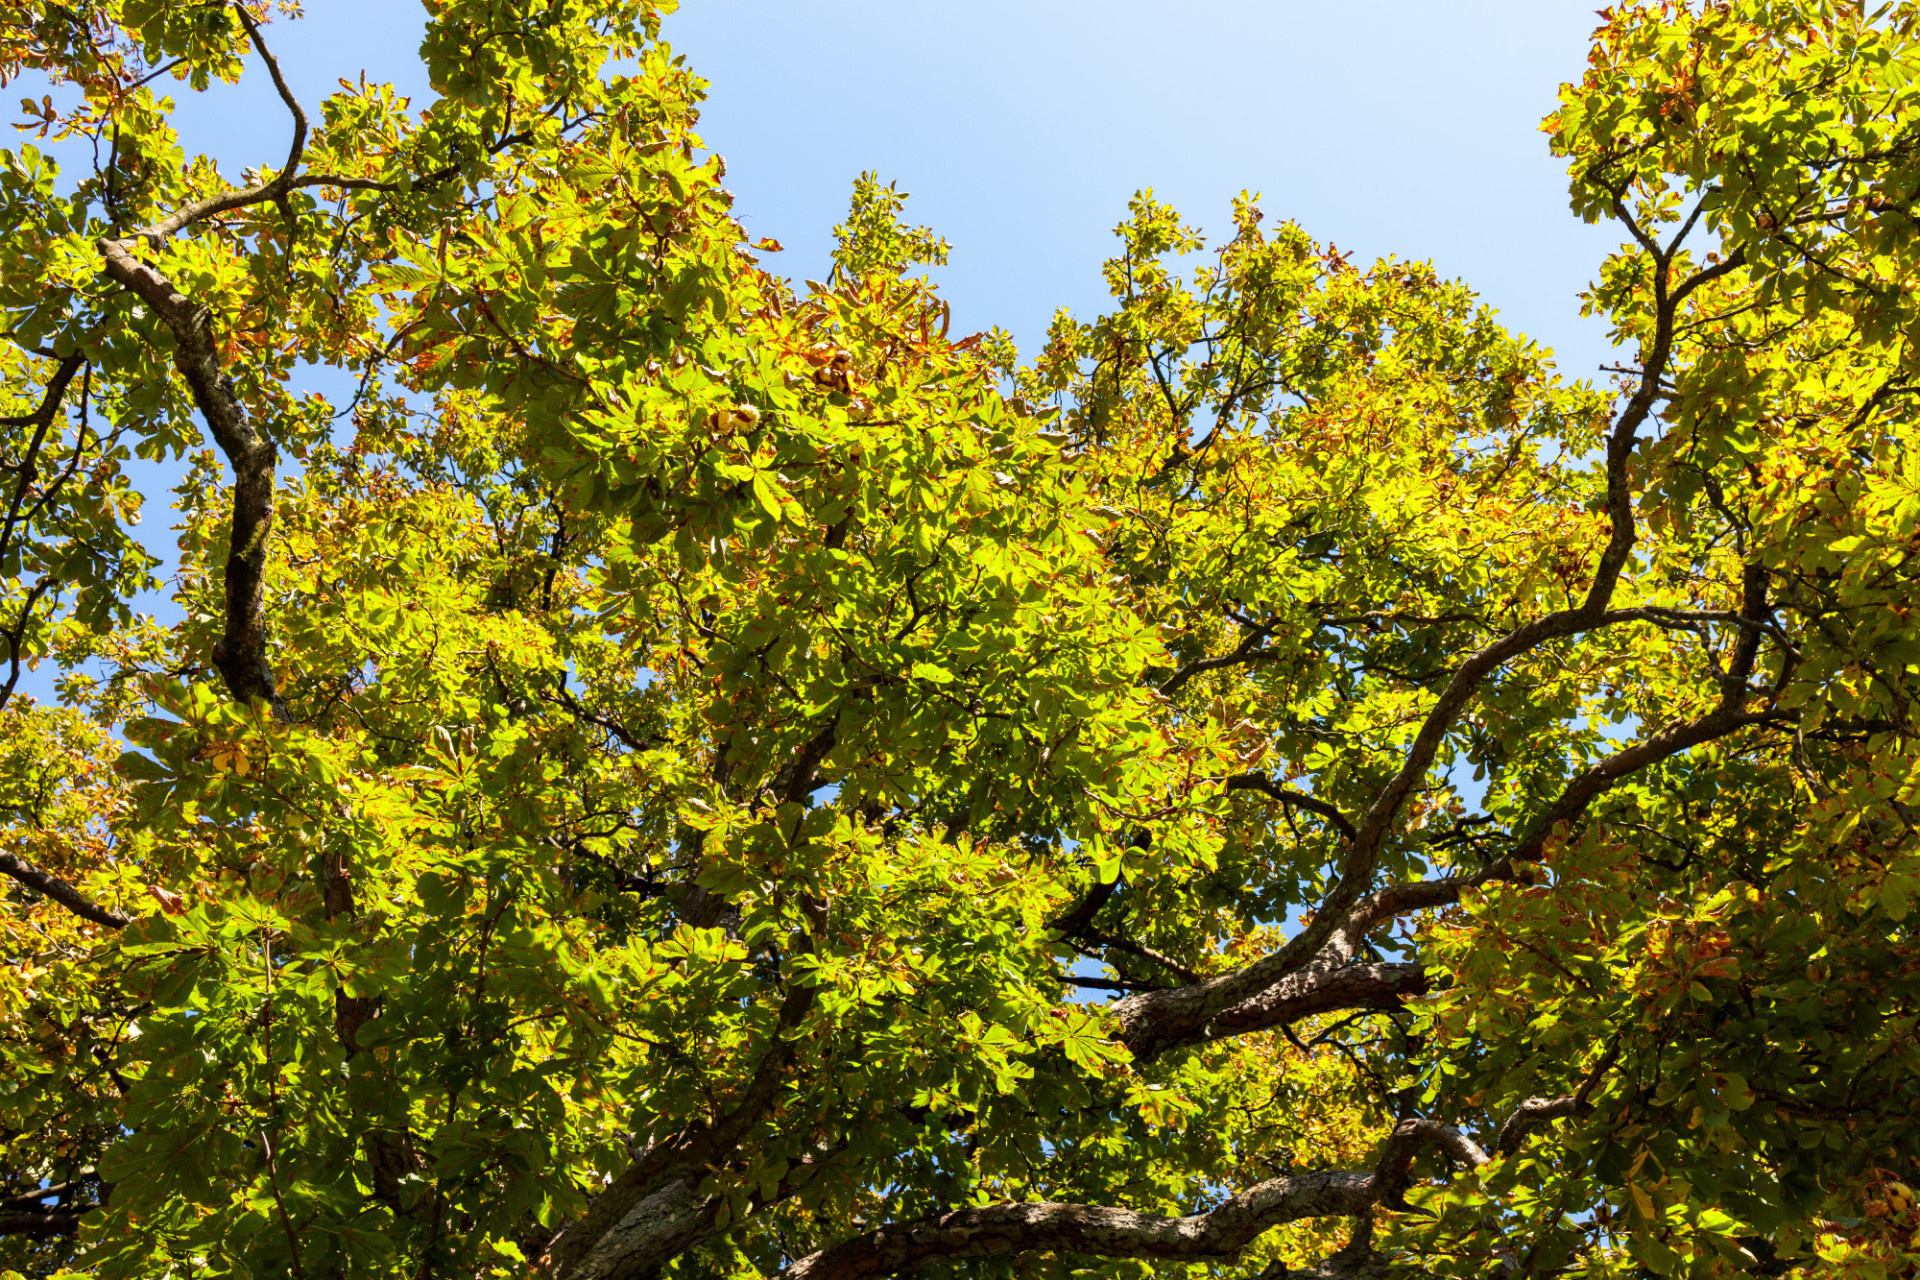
{"x": 1022, "y": 128}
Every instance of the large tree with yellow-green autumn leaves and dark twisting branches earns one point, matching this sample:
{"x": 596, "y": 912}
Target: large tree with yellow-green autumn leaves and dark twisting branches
{"x": 669, "y": 772}
